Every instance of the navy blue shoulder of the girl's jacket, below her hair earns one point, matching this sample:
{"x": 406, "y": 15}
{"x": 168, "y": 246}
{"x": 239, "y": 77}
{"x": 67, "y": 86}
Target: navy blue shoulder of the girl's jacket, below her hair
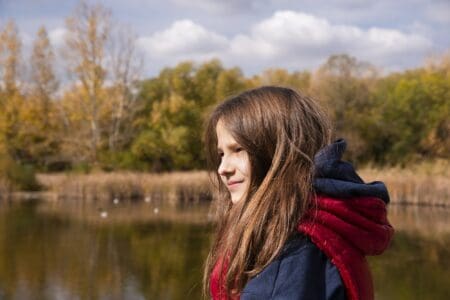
{"x": 302, "y": 271}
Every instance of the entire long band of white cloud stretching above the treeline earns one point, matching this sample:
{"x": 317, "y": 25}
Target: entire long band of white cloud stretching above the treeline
{"x": 288, "y": 39}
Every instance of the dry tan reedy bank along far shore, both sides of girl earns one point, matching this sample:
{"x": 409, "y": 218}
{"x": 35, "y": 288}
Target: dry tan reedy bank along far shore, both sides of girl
{"x": 421, "y": 184}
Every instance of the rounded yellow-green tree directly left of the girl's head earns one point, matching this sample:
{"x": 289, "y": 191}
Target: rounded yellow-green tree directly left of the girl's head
{"x": 175, "y": 105}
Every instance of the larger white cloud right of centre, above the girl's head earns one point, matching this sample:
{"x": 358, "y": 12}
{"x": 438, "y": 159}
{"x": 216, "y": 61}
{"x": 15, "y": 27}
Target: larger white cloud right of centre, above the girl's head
{"x": 302, "y": 40}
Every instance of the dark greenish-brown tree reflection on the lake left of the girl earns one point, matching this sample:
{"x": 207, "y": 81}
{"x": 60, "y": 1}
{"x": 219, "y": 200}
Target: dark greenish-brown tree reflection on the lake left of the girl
{"x": 52, "y": 256}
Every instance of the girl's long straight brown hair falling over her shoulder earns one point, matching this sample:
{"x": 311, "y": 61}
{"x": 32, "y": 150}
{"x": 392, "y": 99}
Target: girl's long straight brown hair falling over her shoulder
{"x": 281, "y": 130}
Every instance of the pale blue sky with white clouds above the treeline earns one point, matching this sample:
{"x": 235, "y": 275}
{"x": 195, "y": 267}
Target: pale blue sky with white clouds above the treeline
{"x": 257, "y": 35}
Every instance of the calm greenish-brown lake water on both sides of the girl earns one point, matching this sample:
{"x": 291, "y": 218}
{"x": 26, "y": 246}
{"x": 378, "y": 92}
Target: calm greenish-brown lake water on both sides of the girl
{"x": 139, "y": 250}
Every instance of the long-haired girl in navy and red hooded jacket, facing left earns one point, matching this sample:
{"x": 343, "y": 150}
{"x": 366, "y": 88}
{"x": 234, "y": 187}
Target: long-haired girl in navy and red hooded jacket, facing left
{"x": 295, "y": 222}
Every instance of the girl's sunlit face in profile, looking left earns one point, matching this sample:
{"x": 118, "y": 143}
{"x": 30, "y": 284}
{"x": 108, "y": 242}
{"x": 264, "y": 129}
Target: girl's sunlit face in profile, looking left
{"x": 234, "y": 168}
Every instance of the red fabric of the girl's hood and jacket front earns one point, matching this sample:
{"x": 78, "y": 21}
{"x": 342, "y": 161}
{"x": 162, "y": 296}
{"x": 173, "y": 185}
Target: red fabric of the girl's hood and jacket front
{"x": 346, "y": 230}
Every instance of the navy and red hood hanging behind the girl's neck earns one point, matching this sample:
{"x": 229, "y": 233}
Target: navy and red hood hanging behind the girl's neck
{"x": 348, "y": 220}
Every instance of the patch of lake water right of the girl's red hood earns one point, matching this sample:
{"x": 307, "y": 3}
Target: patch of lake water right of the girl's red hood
{"x": 416, "y": 266}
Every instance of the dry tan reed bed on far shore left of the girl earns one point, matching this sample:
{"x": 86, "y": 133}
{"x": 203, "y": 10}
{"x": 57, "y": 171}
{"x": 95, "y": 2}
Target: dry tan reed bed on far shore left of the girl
{"x": 176, "y": 187}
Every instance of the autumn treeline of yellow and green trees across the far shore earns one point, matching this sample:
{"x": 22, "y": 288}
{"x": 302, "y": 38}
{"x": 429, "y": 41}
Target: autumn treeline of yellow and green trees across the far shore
{"x": 86, "y": 105}
